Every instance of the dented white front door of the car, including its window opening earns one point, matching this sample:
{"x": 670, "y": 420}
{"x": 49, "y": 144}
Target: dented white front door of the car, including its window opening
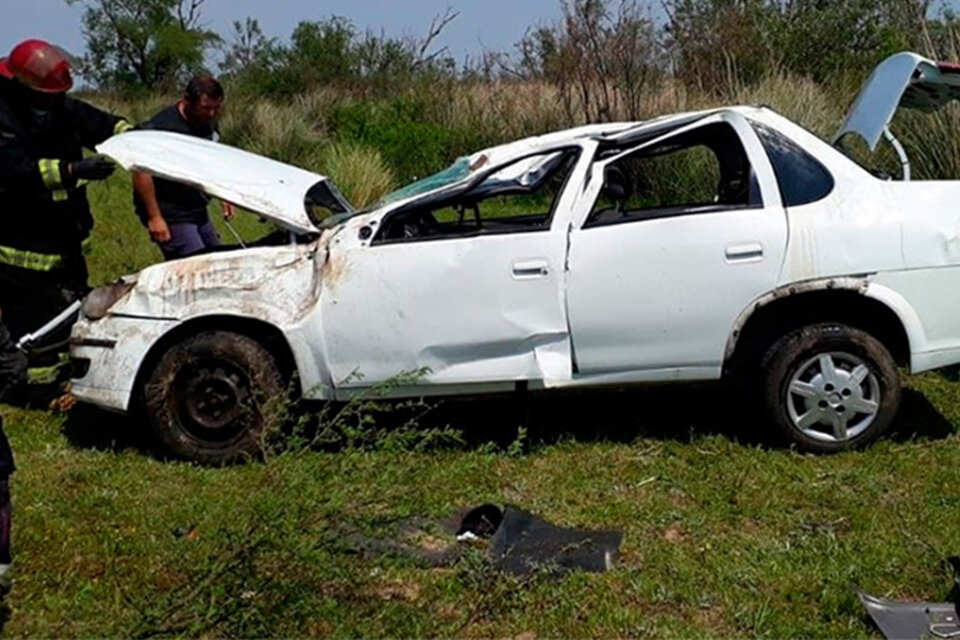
{"x": 464, "y": 291}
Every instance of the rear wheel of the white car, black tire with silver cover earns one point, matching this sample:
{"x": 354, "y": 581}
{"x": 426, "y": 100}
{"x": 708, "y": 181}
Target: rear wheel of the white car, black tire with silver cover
{"x": 794, "y": 387}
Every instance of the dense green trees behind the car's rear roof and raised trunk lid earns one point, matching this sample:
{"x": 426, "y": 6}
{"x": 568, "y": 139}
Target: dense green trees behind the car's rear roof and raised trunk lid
{"x": 716, "y": 44}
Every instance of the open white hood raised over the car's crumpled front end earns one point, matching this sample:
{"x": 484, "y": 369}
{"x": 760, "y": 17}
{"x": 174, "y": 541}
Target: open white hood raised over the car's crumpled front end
{"x": 272, "y": 189}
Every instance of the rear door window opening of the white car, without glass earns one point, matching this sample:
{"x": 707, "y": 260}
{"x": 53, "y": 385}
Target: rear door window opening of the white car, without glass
{"x": 698, "y": 171}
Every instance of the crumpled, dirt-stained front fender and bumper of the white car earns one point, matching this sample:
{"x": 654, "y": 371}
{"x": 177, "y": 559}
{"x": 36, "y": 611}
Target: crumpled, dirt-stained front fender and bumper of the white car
{"x": 279, "y": 286}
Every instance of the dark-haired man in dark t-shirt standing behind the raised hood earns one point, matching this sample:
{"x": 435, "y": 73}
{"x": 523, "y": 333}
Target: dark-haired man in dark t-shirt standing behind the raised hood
{"x": 175, "y": 213}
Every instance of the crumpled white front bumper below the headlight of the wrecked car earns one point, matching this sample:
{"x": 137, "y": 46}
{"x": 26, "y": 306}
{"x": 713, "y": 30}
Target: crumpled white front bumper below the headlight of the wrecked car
{"x": 106, "y": 356}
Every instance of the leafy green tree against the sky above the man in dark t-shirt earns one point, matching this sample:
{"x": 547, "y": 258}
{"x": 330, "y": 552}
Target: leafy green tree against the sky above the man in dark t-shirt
{"x": 143, "y": 44}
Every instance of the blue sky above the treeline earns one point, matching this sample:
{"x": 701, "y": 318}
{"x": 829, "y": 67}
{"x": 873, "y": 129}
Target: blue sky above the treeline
{"x": 482, "y": 24}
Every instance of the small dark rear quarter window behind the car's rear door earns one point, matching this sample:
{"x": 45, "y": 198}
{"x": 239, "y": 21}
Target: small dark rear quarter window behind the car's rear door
{"x": 800, "y": 176}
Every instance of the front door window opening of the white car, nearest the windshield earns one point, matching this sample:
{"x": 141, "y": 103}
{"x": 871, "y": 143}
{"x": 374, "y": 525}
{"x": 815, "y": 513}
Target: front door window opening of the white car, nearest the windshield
{"x": 519, "y": 197}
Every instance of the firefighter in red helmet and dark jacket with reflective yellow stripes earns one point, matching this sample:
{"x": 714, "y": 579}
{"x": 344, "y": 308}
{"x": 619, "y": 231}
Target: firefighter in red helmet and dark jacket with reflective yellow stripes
{"x": 43, "y": 177}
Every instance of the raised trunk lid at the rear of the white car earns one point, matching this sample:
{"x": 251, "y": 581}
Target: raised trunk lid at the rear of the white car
{"x": 903, "y": 80}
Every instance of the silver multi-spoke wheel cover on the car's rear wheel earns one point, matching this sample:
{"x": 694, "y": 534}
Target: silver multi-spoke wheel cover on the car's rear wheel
{"x": 833, "y": 397}
